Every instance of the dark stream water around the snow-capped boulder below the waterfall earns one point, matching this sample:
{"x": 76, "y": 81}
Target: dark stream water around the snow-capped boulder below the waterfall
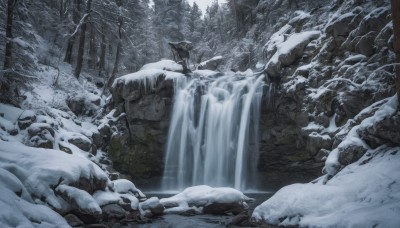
{"x": 198, "y": 221}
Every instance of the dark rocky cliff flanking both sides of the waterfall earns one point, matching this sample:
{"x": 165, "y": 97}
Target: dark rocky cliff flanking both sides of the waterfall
{"x": 324, "y": 63}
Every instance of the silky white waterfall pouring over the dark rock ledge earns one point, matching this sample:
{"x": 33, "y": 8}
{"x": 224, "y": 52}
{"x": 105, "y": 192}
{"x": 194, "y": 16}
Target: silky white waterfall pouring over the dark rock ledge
{"x": 213, "y": 135}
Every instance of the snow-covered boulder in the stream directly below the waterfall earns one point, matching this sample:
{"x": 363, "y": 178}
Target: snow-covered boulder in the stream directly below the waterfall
{"x": 205, "y": 199}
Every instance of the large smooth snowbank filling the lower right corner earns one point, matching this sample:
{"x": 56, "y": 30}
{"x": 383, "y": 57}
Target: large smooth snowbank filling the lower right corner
{"x": 358, "y": 196}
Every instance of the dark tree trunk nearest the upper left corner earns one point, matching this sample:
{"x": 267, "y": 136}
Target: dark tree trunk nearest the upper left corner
{"x": 9, "y": 24}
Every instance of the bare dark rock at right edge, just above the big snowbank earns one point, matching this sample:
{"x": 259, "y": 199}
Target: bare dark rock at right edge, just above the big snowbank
{"x": 384, "y": 132}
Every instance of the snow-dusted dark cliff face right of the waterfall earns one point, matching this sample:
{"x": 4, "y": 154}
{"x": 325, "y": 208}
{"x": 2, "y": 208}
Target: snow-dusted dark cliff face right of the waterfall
{"x": 320, "y": 83}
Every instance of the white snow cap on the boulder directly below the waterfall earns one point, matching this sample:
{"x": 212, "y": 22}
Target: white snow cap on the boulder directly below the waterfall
{"x": 201, "y": 196}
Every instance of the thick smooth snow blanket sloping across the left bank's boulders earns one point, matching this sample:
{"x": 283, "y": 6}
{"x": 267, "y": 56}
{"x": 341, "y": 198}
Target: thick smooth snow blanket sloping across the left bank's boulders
{"x": 39, "y": 169}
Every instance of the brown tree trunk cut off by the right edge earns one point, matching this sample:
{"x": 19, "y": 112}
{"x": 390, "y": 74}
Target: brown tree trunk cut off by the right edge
{"x": 396, "y": 33}
